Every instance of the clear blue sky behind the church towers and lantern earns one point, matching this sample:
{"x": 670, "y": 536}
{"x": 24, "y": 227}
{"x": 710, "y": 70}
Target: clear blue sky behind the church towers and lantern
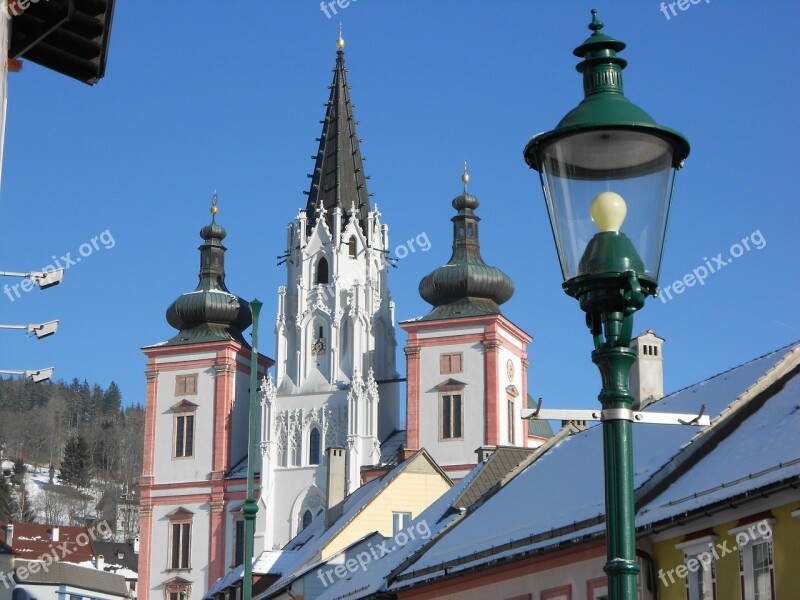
{"x": 231, "y": 98}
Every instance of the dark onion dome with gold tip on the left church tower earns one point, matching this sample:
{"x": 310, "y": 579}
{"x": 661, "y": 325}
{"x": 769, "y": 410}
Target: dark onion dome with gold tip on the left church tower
{"x": 210, "y": 313}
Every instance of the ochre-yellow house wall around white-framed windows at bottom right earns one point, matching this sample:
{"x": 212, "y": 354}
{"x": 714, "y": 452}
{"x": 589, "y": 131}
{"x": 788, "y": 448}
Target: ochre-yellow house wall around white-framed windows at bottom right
{"x": 786, "y": 544}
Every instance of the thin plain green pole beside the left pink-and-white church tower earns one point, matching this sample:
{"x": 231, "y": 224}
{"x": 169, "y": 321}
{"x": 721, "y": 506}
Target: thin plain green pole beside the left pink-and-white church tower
{"x": 250, "y": 508}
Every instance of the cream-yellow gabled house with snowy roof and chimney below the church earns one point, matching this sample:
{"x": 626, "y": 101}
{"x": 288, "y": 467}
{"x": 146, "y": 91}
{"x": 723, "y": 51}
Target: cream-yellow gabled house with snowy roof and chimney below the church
{"x": 348, "y": 533}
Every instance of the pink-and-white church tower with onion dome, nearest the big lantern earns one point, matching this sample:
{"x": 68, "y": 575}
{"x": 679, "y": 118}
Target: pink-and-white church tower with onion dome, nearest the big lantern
{"x": 466, "y": 363}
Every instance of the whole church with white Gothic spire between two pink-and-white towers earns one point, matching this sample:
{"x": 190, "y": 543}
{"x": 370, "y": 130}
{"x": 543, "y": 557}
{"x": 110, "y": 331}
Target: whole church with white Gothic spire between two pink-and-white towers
{"x": 335, "y": 381}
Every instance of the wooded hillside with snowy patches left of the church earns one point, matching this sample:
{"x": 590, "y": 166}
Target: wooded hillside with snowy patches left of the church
{"x": 78, "y": 437}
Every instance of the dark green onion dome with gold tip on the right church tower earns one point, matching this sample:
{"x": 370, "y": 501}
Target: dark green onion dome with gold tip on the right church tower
{"x": 466, "y": 286}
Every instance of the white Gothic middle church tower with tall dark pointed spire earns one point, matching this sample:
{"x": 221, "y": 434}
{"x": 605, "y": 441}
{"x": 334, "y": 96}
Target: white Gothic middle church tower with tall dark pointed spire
{"x": 336, "y": 382}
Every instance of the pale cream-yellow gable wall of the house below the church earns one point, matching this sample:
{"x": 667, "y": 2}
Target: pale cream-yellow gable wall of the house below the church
{"x": 411, "y": 491}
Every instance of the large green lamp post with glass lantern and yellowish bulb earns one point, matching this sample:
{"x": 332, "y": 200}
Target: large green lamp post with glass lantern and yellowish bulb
{"x": 607, "y": 171}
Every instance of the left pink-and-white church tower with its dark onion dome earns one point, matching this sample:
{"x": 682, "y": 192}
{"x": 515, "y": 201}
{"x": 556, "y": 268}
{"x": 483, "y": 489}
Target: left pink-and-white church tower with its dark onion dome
{"x": 196, "y": 430}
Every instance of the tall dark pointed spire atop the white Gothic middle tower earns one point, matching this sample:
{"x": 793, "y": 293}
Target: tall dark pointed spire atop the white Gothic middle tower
{"x": 338, "y": 178}
